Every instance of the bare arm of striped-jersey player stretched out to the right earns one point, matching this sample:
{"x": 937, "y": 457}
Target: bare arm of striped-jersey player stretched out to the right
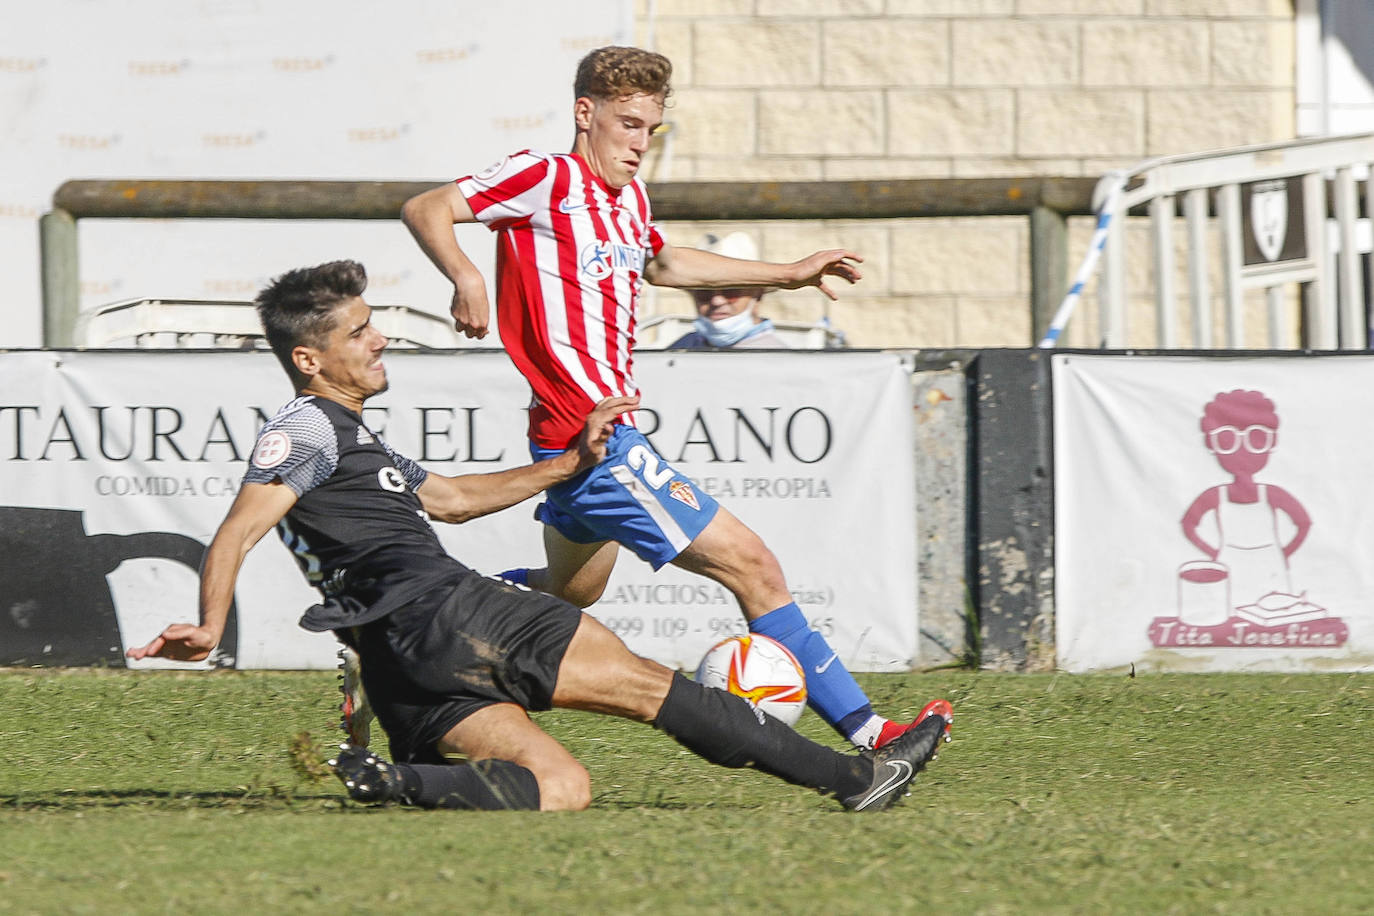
{"x": 696, "y": 270}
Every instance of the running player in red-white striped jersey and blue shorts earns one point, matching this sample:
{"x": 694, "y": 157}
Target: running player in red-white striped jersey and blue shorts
{"x": 576, "y": 242}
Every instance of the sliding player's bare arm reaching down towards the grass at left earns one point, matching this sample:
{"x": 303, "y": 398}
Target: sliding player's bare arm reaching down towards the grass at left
{"x": 255, "y": 512}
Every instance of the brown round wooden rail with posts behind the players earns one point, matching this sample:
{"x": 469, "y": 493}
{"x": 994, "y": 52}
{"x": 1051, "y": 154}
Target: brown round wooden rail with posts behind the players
{"x": 1046, "y": 203}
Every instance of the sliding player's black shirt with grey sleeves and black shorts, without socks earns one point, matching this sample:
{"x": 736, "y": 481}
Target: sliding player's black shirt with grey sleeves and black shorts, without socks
{"x": 439, "y": 642}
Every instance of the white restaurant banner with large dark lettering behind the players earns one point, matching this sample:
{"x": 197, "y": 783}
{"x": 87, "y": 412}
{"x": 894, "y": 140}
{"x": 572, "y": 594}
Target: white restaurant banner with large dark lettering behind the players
{"x": 119, "y": 468}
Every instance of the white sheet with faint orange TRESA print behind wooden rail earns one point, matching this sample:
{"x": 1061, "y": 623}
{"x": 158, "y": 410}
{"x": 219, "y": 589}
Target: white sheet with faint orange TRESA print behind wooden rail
{"x": 306, "y": 90}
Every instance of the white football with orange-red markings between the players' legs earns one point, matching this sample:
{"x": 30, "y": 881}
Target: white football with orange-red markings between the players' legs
{"x": 762, "y": 671}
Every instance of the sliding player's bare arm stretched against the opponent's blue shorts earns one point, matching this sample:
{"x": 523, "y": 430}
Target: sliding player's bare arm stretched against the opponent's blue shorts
{"x": 461, "y": 499}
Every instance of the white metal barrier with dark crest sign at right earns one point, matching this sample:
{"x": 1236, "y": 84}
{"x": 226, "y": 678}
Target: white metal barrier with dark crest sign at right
{"x": 1300, "y": 227}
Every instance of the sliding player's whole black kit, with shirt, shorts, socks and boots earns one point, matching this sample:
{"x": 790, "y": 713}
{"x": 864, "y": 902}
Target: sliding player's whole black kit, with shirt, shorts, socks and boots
{"x": 440, "y": 642}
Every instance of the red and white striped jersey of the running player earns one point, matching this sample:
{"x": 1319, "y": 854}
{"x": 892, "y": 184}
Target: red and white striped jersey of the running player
{"x": 571, "y": 257}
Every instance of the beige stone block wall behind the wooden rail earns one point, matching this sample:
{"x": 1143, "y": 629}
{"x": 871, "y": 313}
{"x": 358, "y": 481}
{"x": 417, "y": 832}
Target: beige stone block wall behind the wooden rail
{"x": 813, "y": 90}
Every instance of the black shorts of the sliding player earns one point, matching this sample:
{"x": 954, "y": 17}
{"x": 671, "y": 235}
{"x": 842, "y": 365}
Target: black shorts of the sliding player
{"x": 465, "y": 646}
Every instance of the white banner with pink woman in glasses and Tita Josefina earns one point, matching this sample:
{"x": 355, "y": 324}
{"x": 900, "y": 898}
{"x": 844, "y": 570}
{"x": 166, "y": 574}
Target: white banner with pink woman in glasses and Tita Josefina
{"x": 1211, "y": 514}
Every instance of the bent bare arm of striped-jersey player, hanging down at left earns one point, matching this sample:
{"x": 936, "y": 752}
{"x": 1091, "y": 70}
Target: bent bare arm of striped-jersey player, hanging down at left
{"x": 431, "y": 218}
